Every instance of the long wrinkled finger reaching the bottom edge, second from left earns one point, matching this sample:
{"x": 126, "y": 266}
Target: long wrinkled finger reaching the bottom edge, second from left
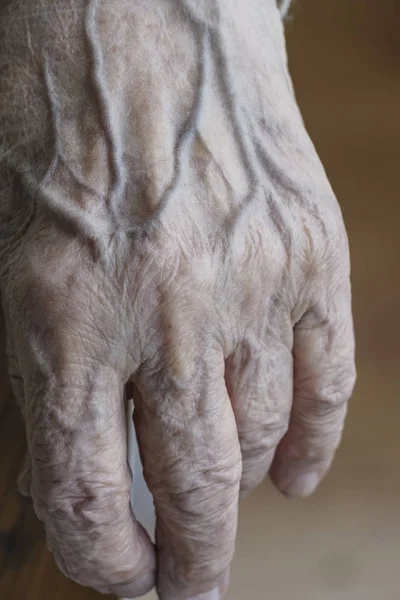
{"x": 192, "y": 465}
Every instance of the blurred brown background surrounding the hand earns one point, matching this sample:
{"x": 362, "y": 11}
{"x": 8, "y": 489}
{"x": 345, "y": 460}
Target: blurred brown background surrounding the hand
{"x": 344, "y": 543}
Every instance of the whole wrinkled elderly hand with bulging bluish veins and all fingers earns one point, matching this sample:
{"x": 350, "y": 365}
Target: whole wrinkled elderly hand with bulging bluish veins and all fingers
{"x": 165, "y": 220}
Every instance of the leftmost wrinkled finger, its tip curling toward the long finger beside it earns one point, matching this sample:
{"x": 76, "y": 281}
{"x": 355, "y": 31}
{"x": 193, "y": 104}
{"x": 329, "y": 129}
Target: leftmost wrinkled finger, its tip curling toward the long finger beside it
{"x": 76, "y": 433}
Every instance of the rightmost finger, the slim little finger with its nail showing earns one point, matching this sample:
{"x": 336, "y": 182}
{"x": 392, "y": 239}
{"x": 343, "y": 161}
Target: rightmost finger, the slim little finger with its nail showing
{"x": 324, "y": 376}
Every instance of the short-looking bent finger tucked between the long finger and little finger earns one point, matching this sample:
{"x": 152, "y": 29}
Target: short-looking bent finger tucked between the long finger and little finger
{"x": 260, "y": 385}
